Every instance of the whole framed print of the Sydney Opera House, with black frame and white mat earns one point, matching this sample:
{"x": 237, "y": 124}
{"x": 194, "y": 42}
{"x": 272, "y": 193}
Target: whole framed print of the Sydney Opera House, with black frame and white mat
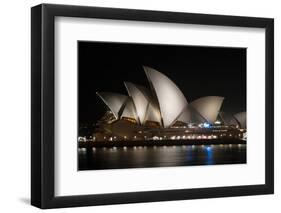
{"x": 139, "y": 106}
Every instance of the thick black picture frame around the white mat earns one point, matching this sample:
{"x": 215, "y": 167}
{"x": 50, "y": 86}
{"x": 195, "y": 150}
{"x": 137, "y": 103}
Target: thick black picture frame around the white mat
{"x": 43, "y": 102}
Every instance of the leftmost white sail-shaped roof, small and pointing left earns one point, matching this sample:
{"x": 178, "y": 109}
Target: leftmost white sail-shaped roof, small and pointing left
{"x": 114, "y": 101}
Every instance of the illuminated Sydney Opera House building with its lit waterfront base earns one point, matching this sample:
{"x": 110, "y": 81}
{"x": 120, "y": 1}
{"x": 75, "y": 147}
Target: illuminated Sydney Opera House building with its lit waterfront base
{"x": 162, "y": 112}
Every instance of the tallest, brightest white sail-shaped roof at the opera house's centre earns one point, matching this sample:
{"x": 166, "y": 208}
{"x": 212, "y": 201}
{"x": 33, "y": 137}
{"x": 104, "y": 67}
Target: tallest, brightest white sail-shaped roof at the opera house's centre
{"x": 171, "y": 100}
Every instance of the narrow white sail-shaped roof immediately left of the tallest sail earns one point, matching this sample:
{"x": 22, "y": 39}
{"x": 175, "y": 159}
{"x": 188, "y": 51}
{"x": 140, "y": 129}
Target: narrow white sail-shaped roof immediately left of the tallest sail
{"x": 140, "y": 99}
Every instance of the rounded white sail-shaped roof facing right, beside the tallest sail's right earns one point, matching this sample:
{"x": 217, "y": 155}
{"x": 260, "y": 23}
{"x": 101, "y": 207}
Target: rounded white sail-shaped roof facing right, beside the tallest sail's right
{"x": 208, "y": 107}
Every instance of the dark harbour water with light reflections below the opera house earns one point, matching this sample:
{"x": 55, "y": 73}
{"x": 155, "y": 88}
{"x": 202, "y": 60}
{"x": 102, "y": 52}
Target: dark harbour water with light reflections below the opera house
{"x": 160, "y": 156}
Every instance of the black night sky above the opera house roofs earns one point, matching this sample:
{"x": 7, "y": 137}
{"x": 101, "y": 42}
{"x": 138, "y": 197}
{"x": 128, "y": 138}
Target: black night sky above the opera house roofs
{"x": 197, "y": 71}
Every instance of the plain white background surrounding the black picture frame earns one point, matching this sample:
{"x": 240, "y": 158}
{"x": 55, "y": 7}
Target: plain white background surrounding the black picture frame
{"x": 15, "y": 105}
